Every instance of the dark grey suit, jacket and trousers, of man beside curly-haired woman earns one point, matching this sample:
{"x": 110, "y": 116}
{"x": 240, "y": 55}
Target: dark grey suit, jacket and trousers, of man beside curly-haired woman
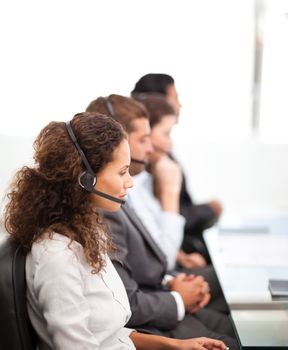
{"x": 141, "y": 266}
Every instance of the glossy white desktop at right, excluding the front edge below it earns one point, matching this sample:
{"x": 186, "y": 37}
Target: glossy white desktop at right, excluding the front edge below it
{"x": 244, "y": 262}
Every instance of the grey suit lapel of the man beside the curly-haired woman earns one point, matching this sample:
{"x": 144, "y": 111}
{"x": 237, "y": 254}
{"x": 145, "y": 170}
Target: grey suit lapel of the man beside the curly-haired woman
{"x": 132, "y": 216}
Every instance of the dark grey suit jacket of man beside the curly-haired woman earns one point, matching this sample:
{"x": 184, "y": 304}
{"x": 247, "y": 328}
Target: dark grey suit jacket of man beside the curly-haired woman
{"x": 141, "y": 265}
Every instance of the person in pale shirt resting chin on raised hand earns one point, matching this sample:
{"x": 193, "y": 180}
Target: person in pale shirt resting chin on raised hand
{"x": 160, "y": 188}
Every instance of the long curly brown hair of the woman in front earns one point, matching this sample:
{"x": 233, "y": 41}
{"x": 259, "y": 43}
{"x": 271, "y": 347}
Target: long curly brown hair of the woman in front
{"x": 48, "y": 197}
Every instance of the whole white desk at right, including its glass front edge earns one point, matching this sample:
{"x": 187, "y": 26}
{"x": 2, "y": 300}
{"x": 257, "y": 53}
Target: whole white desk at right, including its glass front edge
{"x": 244, "y": 261}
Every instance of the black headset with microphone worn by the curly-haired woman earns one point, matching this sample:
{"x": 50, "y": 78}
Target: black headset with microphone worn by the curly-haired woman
{"x": 88, "y": 179}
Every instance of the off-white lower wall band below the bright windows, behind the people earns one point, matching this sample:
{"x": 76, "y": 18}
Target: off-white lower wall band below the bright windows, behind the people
{"x": 250, "y": 179}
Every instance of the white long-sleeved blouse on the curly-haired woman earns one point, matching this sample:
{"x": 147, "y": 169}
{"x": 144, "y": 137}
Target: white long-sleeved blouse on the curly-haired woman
{"x": 71, "y": 308}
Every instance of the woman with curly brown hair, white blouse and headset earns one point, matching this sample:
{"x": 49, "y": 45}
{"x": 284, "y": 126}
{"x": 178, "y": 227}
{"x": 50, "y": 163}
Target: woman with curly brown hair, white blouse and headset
{"x": 76, "y": 300}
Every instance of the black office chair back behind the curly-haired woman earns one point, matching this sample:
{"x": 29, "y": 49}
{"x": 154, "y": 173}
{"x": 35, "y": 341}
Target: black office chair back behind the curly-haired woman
{"x": 16, "y": 332}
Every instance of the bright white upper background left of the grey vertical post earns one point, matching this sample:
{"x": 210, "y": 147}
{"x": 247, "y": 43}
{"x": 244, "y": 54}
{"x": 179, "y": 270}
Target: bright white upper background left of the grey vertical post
{"x": 56, "y": 56}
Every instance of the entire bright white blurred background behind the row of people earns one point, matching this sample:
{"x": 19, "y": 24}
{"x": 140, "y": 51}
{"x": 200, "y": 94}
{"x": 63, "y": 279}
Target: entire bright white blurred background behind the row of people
{"x": 229, "y": 61}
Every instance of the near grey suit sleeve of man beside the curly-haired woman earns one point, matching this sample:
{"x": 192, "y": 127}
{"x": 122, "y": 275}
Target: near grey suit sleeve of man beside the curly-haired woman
{"x": 150, "y": 307}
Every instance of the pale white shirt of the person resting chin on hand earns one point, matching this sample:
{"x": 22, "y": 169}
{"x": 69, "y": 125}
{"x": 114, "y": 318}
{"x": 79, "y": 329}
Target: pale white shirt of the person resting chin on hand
{"x": 167, "y": 228}
